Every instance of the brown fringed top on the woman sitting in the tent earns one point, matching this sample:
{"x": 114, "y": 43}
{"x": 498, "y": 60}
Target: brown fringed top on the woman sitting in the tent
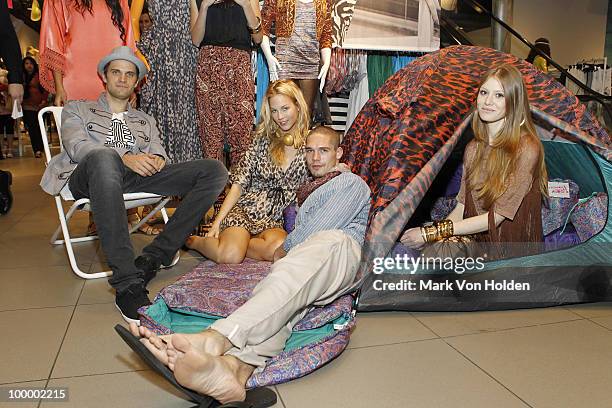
{"x": 520, "y": 205}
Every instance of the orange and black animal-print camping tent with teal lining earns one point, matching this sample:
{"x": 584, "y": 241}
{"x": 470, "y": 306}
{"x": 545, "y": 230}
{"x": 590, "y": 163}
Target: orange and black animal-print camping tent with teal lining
{"x": 403, "y": 137}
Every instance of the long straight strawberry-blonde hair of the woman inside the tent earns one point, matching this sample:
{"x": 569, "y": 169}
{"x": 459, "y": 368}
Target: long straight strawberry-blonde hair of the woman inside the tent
{"x": 518, "y": 128}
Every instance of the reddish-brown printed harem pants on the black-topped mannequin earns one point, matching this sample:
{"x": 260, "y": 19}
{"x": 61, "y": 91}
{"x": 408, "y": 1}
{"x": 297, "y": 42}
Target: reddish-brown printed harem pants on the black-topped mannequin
{"x": 225, "y": 97}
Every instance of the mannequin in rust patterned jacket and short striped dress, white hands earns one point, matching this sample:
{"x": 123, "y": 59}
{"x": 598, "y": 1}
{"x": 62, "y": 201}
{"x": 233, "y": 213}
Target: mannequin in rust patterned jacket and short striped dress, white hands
{"x": 297, "y": 24}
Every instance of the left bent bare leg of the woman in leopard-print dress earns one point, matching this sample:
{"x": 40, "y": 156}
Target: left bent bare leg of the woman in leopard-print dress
{"x": 230, "y": 247}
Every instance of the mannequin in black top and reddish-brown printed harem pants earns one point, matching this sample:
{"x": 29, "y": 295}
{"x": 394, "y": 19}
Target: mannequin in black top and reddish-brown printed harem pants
{"x": 225, "y": 32}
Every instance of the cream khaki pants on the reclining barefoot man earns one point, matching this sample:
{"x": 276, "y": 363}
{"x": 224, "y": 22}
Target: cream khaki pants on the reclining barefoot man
{"x": 315, "y": 272}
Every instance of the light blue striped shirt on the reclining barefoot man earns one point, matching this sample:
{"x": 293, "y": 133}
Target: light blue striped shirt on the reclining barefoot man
{"x": 343, "y": 203}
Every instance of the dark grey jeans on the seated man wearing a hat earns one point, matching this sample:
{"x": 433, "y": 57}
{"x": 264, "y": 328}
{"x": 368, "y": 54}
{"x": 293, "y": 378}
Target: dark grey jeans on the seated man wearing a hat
{"x": 103, "y": 178}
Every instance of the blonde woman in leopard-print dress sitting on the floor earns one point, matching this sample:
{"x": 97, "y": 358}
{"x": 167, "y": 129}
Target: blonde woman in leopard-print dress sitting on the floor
{"x": 250, "y": 221}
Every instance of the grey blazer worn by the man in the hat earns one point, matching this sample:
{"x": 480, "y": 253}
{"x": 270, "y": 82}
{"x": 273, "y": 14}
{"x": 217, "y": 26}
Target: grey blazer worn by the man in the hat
{"x": 85, "y": 126}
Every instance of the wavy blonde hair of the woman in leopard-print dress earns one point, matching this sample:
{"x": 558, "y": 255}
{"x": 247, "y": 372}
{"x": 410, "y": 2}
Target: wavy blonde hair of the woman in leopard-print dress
{"x": 268, "y": 128}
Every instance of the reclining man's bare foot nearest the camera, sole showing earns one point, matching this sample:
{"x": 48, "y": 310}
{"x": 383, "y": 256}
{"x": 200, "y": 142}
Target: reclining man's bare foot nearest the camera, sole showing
{"x": 221, "y": 377}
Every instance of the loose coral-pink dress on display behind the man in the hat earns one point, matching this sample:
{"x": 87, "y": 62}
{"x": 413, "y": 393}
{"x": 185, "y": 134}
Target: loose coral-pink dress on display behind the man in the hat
{"x": 74, "y": 43}
